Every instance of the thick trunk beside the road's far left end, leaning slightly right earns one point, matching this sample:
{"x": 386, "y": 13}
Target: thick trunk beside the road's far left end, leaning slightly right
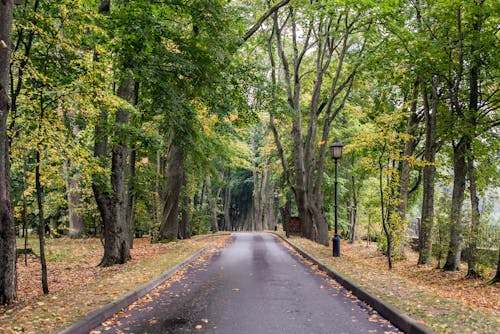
{"x": 169, "y": 228}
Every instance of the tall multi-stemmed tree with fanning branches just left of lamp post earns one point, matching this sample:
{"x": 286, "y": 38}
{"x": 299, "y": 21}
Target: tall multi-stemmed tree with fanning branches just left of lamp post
{"x": 322, "y": 64}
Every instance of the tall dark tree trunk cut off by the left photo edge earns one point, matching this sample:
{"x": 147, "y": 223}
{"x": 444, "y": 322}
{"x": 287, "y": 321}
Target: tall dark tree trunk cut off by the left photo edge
{"x": 8, "y": 280}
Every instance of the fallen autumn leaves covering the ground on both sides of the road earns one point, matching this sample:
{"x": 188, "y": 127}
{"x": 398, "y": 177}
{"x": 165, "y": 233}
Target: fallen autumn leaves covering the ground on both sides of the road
{"x": 444, "y": 301}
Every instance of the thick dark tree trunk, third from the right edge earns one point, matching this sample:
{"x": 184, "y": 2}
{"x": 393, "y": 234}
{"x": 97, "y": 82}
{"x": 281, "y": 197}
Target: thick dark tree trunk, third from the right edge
{"x": 457, "y": 199}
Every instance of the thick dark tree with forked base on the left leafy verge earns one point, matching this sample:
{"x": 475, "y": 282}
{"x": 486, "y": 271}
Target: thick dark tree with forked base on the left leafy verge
{"x": 113, "y": 201}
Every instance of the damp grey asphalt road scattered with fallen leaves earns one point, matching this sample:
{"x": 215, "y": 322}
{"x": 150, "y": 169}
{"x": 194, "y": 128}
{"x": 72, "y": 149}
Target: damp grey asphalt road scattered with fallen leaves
{"x": 254, "y": 285}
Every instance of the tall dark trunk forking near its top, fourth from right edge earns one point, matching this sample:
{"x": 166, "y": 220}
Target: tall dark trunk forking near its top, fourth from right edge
{"x": 429, "y": 171}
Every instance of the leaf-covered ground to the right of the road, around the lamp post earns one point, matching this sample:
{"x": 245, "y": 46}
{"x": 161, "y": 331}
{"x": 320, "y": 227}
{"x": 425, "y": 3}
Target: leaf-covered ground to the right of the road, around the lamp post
{"x": 446, "y": 302}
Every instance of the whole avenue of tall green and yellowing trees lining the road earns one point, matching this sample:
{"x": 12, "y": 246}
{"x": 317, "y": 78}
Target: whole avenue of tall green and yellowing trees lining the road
{"x": 173, "y": 118}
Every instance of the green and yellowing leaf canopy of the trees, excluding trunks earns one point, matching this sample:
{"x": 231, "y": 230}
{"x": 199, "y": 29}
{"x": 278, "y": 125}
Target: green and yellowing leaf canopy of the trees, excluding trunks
{"x": 197, "y": 80}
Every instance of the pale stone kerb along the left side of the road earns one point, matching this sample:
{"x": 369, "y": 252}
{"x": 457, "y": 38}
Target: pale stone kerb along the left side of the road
{"x": 95, "y": 318}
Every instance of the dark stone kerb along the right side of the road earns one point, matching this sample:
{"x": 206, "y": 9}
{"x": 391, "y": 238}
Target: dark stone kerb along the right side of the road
{"x": 397, "y": 317}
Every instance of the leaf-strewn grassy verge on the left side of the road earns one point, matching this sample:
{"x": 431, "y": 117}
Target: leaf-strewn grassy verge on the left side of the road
{"x": 79, "y": 287}
